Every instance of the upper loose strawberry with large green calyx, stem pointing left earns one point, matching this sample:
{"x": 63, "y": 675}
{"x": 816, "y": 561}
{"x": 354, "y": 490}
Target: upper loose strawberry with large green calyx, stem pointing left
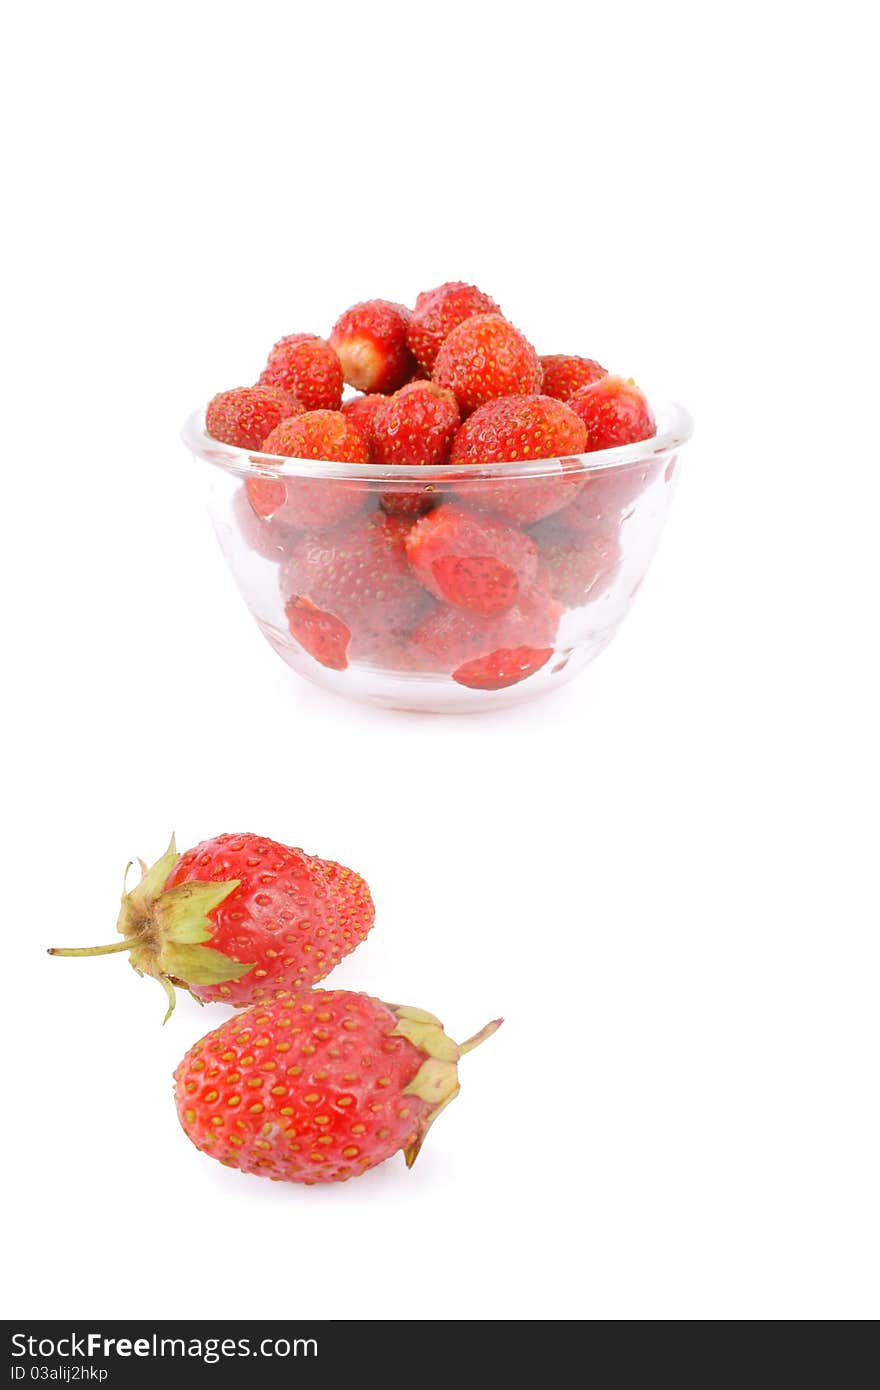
{"x": 276, "y": 918}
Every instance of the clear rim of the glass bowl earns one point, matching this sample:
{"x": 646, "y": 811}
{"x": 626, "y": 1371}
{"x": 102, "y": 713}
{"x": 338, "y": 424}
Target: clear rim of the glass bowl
{"x": 675, "y": 429}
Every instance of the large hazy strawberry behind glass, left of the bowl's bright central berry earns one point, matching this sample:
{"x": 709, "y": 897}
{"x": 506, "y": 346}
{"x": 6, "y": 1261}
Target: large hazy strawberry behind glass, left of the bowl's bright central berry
{"x": 359, "y": 573}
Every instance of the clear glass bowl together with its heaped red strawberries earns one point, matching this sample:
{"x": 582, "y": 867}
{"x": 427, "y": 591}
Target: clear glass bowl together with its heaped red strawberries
{"x": 422, "y": 483}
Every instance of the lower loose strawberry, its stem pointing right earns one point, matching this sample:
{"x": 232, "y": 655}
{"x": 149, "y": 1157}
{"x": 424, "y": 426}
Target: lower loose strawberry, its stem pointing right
{"x": 319, "y": 1086}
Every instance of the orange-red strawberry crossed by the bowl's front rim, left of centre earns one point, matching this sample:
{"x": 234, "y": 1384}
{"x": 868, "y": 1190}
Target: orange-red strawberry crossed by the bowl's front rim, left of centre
{"x": 312, "y": 504}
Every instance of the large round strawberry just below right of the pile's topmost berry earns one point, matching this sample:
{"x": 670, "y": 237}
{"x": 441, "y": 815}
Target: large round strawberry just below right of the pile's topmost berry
{"x": 486, "y": 358}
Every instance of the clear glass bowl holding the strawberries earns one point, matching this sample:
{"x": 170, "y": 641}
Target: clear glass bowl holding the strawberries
{"x": 440, "y": 589}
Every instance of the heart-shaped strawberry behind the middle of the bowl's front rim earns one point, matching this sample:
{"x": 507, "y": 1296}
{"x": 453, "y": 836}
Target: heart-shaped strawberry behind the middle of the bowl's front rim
{"x": 416, "y": 427}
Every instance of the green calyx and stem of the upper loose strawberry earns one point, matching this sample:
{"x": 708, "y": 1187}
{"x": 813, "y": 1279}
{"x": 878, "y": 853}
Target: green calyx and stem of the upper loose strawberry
{"x": 165, "y": 931}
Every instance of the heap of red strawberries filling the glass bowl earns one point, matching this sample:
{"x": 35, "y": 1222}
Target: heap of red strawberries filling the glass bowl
{"x": 469, "y": 578}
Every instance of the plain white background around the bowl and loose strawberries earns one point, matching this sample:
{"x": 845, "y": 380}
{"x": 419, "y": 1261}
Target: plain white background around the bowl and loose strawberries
{"x": 665, "y": 876}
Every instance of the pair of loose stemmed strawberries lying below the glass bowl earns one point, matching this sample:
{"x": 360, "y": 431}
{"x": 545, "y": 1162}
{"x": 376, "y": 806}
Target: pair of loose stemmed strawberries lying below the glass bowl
{"x": 304, "y": 1086}
